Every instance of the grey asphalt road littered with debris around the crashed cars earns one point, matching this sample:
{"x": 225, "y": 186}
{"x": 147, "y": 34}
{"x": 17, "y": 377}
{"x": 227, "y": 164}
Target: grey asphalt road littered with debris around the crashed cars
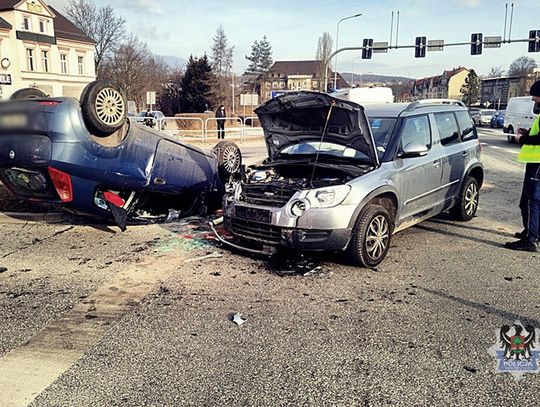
{"x": 92, "y": 316}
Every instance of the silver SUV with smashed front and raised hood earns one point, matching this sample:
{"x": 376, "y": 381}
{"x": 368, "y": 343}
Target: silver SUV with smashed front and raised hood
{"x": 336, "y": 180}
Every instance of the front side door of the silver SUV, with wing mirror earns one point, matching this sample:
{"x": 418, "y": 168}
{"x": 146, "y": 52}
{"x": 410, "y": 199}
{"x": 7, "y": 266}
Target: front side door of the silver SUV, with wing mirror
{"x": 418, "y": 177}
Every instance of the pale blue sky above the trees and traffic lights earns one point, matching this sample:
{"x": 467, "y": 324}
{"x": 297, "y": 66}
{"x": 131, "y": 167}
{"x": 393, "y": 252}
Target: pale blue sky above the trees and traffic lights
{"x": 181, "y": 28}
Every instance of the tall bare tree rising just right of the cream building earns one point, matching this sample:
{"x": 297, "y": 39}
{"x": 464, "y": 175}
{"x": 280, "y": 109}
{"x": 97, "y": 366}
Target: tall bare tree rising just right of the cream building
{"x": 99, "y": 23}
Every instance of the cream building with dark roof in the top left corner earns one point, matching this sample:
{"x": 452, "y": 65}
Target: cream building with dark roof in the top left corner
{"x": 40, "y": 48}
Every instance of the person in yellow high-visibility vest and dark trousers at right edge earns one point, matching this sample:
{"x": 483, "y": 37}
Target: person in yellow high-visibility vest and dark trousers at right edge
{"x": 530, "y": 196}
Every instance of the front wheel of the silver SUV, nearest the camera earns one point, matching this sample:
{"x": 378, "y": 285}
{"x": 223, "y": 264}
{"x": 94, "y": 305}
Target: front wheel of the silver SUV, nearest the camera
{"x": 374, "y": 224}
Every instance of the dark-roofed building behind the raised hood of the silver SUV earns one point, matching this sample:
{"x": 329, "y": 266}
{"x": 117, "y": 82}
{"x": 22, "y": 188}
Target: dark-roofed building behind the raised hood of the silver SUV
{"x": 296, "y": 75}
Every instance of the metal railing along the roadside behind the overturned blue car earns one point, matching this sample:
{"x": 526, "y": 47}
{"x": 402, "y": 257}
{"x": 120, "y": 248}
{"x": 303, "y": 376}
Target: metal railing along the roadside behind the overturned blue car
{"x": 169, "y": 125}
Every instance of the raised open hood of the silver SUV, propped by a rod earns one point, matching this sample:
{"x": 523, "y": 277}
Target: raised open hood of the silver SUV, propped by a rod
{"x": 301, "y": 116}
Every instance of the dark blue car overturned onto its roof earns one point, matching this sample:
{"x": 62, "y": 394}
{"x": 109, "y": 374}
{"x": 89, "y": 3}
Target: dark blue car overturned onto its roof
{"x": 87, "y": 157}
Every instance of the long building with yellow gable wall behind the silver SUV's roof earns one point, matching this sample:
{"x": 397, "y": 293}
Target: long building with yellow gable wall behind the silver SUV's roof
{"x": 445, "y": 86}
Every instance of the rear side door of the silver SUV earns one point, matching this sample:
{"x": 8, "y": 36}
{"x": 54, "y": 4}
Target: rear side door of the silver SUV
{"x": 453, "y": 154}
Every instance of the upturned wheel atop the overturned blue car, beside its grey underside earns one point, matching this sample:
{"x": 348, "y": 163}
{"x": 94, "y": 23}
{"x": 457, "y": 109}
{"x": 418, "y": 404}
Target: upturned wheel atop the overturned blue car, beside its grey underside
{"x": 104, "y": 107}
